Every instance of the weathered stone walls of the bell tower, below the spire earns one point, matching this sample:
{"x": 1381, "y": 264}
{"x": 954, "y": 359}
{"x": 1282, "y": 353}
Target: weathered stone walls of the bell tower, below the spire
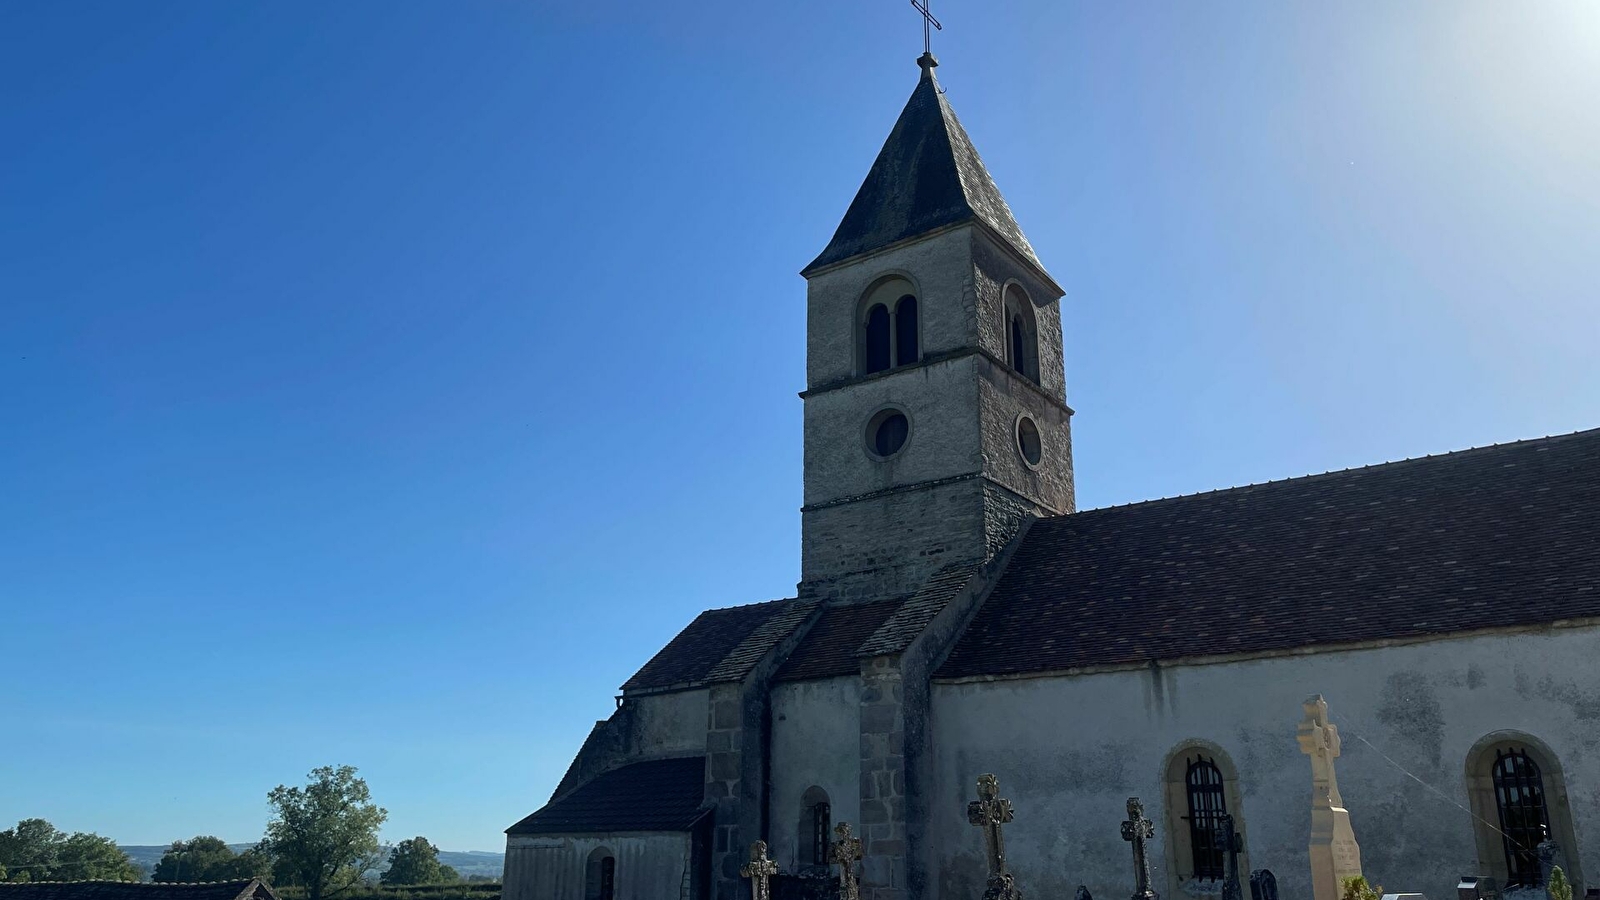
{"x": 961, "y": 486}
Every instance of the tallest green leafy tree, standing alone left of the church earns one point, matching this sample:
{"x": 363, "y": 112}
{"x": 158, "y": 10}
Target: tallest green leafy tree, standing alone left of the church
{"x": 324, "y": 837}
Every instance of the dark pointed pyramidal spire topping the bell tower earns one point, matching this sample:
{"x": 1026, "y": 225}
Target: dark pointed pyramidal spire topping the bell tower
{"x": 926, "y": 177}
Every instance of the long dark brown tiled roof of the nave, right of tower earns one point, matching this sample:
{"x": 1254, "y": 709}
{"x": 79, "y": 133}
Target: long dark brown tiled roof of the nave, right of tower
{"x": 1503, "y": 536}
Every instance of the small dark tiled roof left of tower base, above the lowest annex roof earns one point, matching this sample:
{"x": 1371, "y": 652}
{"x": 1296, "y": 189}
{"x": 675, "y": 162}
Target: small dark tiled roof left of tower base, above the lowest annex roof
{"x": 719, "y": 646}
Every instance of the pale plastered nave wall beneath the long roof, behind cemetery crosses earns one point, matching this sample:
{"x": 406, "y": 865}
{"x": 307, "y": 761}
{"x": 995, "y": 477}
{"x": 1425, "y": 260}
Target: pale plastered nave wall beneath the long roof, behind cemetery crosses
{"x": 1071, "y": 750}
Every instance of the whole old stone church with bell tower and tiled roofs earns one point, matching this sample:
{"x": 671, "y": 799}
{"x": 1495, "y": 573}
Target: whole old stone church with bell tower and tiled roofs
{"x": 958, "y": 616}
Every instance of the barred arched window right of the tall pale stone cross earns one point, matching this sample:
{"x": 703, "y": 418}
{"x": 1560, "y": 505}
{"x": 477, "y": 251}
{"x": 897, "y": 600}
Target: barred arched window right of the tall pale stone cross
{"x": 1519, "y": 797}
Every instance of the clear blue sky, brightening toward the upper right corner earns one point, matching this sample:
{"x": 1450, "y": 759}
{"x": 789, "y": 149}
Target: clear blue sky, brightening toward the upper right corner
{"x": 383, "y": 384}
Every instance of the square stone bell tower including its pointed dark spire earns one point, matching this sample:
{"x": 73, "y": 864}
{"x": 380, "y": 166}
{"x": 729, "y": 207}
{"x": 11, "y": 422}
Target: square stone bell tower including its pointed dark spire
{"x": 935, "y": 404}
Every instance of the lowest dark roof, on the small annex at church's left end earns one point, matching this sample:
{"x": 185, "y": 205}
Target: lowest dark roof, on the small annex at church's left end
{"x": 660, "y": 795}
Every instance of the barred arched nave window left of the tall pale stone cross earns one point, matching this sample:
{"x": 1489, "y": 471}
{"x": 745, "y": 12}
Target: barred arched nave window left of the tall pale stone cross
{"x": 1202, "y": 787}
